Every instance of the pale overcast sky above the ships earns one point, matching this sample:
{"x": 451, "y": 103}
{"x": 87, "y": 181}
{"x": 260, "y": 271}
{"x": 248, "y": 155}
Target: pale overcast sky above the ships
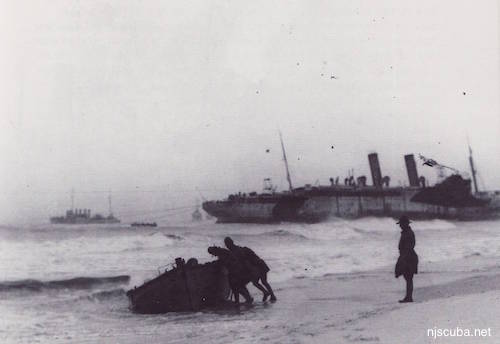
{"x": 154, "y": 99}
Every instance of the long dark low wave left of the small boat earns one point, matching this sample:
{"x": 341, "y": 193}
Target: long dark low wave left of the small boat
{"x": 72, "y": 283}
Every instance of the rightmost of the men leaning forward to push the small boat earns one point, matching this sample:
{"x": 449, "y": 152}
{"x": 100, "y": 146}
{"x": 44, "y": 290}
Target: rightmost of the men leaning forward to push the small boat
{"x": 255, "y": 264}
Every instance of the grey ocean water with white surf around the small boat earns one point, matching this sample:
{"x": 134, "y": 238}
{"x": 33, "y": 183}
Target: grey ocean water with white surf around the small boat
{"x": 61, "y": 284}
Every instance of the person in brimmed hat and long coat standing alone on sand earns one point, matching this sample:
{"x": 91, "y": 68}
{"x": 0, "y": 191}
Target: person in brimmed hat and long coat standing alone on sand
{"x": 407, "y": 264}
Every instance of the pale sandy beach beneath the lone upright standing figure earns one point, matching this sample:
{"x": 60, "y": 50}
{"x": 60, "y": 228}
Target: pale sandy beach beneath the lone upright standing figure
{"x": 362, "y": 307}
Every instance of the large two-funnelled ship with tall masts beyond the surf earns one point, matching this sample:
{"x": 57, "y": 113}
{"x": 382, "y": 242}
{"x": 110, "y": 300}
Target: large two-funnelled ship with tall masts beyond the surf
{"x": 452, "y": 198}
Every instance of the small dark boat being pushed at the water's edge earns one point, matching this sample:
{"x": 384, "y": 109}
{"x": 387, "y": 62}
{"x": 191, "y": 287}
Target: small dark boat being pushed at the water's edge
{"x": 187, "y": 287}
